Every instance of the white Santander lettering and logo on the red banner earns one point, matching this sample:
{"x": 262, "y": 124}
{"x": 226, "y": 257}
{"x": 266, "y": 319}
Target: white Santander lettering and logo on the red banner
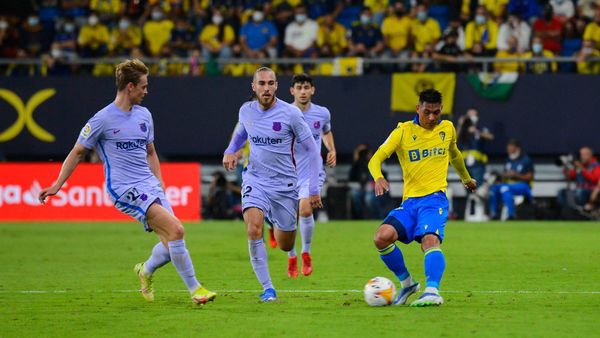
{"x": 78, "y": 196}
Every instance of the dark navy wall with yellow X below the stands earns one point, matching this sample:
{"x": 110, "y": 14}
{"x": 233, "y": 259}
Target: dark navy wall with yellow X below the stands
{"x": 195, "y": 116}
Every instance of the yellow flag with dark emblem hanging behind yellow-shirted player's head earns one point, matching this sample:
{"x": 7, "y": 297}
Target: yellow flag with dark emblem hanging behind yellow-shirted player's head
{"x": 407, "y": 86}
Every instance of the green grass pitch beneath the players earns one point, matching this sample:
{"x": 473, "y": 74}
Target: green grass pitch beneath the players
{"x": 518, "y": 279}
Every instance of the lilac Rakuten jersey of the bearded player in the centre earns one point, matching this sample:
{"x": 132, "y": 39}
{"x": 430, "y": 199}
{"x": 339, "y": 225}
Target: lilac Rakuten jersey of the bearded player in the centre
{"x": 272, "y": 134}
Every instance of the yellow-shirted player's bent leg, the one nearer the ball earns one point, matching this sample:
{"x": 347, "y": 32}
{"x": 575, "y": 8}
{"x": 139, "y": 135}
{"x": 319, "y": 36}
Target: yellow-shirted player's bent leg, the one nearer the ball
{"x": 394, "y": 228}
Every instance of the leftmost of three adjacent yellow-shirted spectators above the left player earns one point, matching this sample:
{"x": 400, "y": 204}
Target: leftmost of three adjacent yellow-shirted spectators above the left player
{"x": 93, "y": 38}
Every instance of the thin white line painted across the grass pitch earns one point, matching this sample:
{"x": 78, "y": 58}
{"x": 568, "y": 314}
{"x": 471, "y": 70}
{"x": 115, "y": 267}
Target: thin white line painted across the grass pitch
{"x": 309, "y": 291}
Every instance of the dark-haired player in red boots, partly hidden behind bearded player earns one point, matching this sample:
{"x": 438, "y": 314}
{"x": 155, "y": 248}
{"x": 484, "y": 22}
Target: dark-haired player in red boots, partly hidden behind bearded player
{"x": 318, "y": 119}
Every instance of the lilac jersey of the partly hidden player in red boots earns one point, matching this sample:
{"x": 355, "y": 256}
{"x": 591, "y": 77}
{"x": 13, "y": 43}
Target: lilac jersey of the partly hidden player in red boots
{"x": 318, "y": 119}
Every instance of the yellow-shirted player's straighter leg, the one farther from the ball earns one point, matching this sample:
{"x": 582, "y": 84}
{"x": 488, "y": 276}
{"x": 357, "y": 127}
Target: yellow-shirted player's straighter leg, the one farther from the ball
{"x": 433, "y": 213}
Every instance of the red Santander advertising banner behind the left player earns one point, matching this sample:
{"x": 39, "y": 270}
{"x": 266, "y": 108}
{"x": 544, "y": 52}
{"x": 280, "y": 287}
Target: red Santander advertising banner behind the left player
{"x": 83, "y": 197}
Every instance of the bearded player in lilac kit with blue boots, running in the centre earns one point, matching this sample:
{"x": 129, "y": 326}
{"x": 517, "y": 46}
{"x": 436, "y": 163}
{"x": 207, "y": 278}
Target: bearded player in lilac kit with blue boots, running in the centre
{"x": 274, "y": 129}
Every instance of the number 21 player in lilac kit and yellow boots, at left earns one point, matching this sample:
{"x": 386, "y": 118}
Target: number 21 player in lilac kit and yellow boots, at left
{"x": 123, "y": 135}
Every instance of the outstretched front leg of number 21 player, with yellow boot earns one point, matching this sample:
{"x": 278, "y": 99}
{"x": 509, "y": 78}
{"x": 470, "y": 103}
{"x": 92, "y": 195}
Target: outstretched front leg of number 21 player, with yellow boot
{"x": 170, "y": 230}
